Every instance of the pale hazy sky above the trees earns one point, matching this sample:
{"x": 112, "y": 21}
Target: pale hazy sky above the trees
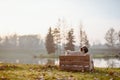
{"x": 36, "y": 16}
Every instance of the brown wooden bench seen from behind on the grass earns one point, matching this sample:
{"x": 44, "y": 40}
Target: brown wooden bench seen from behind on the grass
{"x": 74, "y": 62}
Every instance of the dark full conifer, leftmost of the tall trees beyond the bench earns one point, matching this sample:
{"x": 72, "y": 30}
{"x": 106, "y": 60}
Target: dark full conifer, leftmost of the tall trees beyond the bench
{"x": 50, "y": 45}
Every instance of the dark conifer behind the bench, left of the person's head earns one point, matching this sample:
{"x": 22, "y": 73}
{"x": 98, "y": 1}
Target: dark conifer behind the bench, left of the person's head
{"x": 70, "y": 41}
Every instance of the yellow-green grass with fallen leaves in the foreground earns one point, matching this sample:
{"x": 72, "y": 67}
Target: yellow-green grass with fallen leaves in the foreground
{"x": 52, "y": 72}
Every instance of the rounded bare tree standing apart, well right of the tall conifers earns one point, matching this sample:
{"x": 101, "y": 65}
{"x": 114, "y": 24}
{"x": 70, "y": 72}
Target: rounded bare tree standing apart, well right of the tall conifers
{"x": 111, "y": 37}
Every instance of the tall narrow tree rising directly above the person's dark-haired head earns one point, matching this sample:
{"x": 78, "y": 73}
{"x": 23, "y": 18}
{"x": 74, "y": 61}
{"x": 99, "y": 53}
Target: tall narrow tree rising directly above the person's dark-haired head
{"x": 83, "y": 38}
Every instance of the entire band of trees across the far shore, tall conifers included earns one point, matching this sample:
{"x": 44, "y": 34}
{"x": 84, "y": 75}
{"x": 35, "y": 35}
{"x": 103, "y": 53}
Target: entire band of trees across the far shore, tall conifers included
{"x": 58, "y": 39}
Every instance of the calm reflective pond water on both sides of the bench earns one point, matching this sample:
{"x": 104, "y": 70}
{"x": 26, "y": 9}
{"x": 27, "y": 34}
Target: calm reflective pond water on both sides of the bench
{"x": 98, "y": 62}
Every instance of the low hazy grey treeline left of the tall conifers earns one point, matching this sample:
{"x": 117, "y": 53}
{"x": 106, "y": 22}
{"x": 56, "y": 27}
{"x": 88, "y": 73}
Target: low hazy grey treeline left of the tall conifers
{"x": 21, "y": 42}
